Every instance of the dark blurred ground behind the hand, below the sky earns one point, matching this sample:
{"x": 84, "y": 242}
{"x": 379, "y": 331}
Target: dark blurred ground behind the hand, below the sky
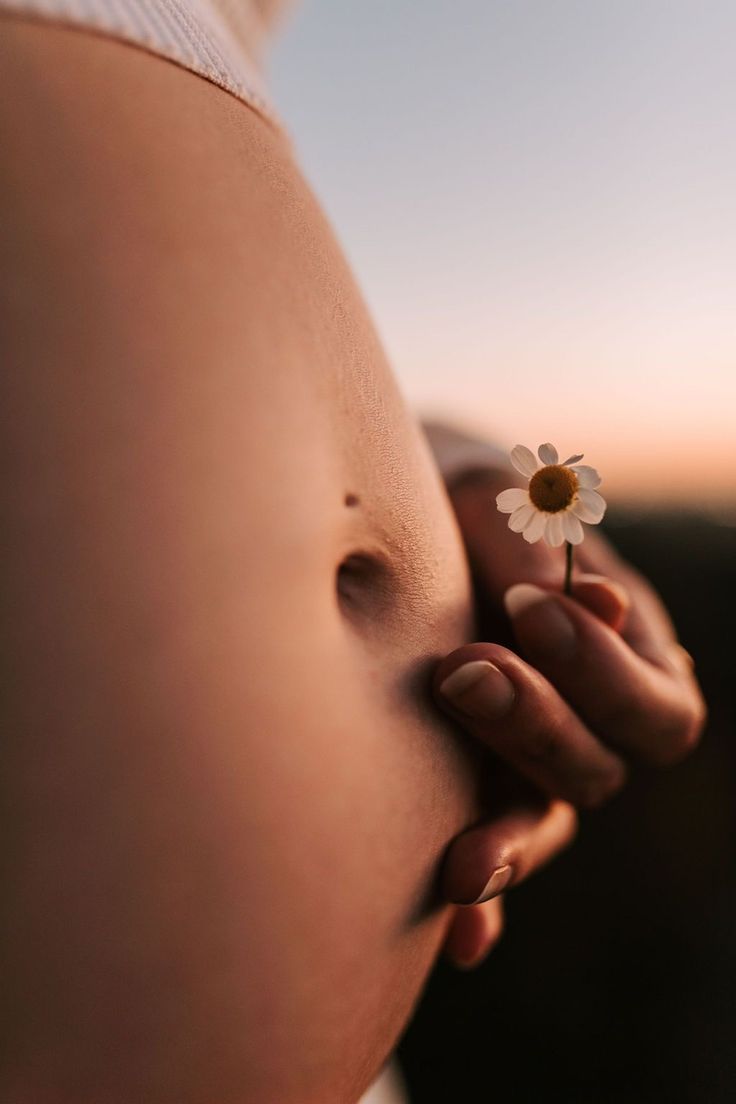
{"x": 615, "y": 982}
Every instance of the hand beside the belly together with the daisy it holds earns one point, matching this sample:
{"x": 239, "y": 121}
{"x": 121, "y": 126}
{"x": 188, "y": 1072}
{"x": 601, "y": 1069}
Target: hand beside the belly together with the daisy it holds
{"x": 600, "y": 676}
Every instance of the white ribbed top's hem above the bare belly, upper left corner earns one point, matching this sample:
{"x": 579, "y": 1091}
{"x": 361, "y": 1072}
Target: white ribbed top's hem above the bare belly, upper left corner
{"x": 219, "y": 39}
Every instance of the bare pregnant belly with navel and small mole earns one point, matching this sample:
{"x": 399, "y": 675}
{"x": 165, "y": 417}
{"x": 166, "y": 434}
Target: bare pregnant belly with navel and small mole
{"x": 230, "y": 569}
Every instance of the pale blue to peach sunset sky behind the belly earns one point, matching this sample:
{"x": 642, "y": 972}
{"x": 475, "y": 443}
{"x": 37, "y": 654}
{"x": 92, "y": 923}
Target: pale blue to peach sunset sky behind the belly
{"x": 539, "y": 199}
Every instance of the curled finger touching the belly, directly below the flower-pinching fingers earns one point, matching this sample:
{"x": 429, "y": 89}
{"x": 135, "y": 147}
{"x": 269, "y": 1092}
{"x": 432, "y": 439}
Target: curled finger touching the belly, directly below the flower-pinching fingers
{"x": 516, "y": 710}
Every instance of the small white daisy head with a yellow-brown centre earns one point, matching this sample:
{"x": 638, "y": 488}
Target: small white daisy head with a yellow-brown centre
{"x": 559, "y": 498}
